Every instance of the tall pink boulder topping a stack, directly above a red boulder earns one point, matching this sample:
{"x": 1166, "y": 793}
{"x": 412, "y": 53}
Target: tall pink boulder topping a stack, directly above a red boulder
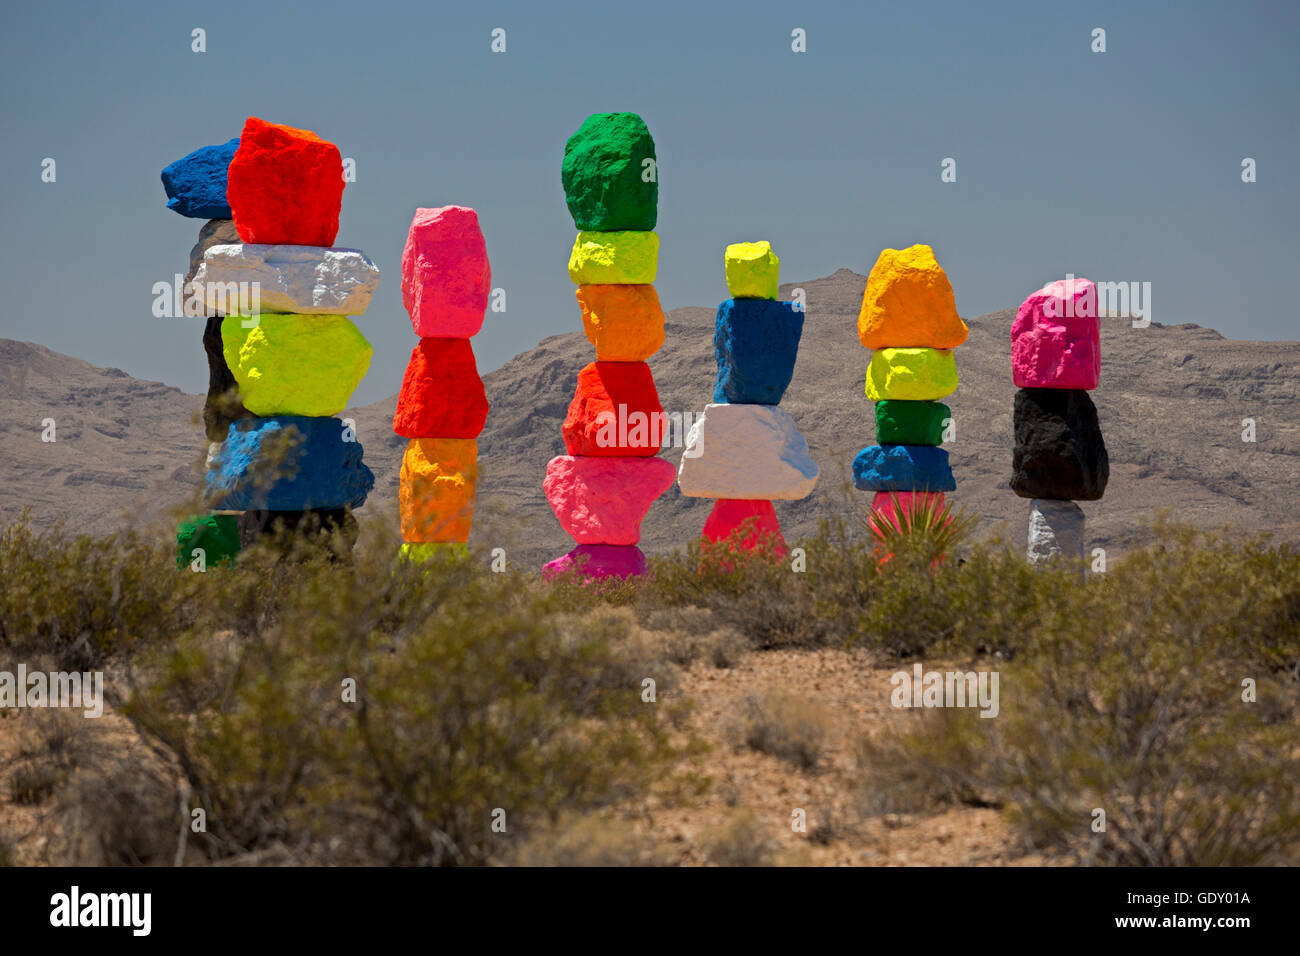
{"x": 445, "y": 274}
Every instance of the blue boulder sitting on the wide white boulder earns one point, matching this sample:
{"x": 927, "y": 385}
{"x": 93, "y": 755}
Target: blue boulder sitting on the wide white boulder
{"x": 756, "y": 343}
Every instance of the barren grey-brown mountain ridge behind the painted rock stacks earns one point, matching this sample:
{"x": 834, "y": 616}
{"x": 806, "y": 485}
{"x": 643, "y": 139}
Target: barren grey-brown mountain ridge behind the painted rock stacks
{"x": 1172, "y": 403}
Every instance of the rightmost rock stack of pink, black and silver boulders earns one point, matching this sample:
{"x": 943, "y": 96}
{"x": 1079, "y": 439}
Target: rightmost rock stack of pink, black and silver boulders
{"x": 1060, "y": 456}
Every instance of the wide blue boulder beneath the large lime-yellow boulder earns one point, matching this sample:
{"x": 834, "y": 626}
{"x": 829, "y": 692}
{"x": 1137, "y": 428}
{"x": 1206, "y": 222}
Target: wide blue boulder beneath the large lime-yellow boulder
{"x": 288, "y": 464}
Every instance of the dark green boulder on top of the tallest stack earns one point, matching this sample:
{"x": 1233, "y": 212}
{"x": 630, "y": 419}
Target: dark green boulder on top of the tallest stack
{"x": 612, "y": 181}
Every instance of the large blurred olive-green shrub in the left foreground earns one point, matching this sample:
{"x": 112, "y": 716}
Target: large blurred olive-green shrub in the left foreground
{"x": 475, "y": 693}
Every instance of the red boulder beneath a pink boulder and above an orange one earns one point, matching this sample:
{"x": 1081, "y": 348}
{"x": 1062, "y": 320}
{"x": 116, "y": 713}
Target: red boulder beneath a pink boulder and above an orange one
{"x": 443, "y": 396}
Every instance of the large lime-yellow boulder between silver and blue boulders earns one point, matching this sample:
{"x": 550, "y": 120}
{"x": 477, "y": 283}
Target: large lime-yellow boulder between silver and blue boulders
{"x": 296, "y": 365}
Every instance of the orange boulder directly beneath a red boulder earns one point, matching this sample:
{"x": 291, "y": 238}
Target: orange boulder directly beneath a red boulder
{"x": 437, "y": 490}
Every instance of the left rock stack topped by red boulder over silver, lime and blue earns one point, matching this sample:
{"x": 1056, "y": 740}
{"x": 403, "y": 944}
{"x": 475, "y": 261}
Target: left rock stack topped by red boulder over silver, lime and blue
{"x": 292, "y": 351}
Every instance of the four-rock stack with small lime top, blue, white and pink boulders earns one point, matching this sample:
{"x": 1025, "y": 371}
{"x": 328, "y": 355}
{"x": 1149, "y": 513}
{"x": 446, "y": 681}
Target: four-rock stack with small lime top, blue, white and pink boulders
{"x": 744, "y": 451}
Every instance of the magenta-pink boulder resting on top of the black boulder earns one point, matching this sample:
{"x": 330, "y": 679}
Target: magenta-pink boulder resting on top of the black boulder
{"x": 1056, "y": 338}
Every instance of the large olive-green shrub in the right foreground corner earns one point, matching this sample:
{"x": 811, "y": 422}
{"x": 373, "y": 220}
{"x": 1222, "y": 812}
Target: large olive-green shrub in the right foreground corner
{"x": 1128, "y": 697}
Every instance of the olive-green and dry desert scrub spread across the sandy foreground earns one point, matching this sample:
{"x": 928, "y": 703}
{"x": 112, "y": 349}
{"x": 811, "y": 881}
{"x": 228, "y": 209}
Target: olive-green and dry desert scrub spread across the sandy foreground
{"x": 384, "y": 712}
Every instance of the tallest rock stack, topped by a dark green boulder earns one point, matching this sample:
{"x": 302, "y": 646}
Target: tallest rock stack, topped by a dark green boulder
{"x": 605, "y": 485}
